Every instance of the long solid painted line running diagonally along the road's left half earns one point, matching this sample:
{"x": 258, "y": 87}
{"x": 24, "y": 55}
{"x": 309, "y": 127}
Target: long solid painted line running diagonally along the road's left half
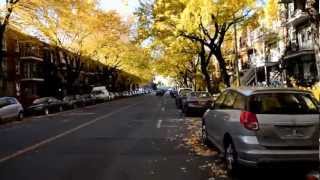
{"x": 54, "y": 138}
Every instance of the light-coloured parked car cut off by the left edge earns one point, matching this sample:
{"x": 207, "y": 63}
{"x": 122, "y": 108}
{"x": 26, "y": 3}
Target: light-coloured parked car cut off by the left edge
{"x": 10, "y": 109}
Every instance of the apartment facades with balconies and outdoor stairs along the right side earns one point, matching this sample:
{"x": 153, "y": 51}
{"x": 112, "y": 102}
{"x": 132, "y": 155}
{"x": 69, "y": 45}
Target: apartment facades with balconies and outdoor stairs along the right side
{"x": 282, "y": 53}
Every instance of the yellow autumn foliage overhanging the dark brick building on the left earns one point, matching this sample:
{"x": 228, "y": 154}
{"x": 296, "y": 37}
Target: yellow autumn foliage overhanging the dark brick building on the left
{"x": 83, "y": 28}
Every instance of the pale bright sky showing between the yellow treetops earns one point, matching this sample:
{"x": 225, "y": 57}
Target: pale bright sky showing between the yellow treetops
{"x": 123, "y": 7}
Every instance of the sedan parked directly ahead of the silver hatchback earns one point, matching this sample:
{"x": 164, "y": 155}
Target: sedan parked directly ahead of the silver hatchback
{"x": 198, "y": 101}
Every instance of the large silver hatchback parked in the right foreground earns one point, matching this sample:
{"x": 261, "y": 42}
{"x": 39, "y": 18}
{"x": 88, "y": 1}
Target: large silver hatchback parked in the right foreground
{"x": 267, "y": 126}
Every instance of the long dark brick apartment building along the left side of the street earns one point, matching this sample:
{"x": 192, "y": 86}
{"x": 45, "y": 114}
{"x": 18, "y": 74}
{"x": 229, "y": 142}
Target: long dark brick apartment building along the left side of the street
{"x": 32, "y": 68}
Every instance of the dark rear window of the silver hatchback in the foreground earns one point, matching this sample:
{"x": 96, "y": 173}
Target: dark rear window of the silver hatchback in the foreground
{"x": 283, "y": 103}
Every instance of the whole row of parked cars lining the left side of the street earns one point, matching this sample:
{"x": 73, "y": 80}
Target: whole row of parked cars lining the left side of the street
{"x": 11, "y": 109}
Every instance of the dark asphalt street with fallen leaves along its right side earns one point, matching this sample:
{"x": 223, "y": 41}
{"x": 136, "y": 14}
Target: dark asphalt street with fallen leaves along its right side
{"x": 140, "y": 138}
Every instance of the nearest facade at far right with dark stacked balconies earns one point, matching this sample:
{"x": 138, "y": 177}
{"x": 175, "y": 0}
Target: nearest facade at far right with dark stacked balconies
{"x": 300, "y": 56}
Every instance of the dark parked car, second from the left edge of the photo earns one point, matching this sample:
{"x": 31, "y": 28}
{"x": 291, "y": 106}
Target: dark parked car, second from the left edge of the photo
{"x": 46, "y": 105}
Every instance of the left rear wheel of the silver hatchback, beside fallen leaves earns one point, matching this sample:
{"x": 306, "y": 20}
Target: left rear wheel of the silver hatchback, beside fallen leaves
{"x": 230, "y": 156}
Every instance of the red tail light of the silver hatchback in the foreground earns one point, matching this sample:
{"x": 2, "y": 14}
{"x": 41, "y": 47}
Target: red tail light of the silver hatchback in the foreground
{"x": 249, "y": 120}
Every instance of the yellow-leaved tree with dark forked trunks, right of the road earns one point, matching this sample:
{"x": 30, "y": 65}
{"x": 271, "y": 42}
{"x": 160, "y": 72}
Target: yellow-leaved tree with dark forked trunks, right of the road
{"x": 203, "y": 22}
